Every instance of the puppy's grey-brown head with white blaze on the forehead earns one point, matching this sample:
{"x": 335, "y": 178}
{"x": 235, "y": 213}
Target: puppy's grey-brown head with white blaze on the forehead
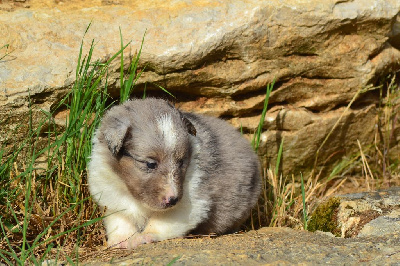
{"x": 149, "y": 149}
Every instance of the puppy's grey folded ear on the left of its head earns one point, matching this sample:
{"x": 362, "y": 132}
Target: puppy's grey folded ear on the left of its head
{"x": 115, "y": 132}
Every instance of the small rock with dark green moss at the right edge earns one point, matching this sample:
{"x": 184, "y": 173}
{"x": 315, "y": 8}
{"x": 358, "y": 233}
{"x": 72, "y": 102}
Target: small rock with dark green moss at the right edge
{"x": 360, "y": 214}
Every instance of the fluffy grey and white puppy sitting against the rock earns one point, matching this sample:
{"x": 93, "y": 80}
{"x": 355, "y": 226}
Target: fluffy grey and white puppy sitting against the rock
{"x": 162, "y": 173}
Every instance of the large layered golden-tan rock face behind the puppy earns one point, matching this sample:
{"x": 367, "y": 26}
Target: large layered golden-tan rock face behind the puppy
{"x": 217, "y": 58}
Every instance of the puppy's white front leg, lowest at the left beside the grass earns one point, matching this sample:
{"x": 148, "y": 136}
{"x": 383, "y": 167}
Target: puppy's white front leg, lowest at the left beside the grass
{"x": 119, "y": 230}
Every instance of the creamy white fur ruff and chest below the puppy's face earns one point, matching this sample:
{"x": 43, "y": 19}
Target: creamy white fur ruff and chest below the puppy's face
{"x": 126, "y": 216}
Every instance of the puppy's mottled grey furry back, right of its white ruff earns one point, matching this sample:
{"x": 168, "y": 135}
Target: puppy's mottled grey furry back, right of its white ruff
{"x": 232, "y": 174}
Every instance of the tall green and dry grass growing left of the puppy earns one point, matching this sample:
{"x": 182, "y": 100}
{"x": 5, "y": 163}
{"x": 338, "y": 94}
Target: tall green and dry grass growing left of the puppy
{"x": 45, "y": 205}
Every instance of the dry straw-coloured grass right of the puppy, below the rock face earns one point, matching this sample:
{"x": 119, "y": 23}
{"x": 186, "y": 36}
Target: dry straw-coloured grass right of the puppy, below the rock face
{"x": 374, "y": 167}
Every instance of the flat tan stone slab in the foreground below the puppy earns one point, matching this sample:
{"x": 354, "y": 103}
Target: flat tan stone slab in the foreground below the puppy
{"x": 276, "y": 246}
